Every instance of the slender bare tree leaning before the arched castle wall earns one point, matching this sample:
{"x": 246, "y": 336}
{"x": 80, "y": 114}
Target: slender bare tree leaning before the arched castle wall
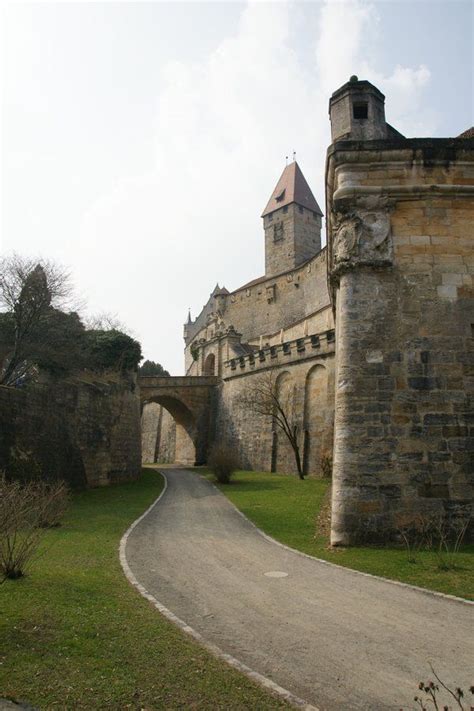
{"x": 264, "y": 396}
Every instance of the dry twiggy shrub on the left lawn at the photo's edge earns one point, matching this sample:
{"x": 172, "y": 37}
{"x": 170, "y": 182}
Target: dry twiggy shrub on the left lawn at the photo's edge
{"x": 25, "y": 510}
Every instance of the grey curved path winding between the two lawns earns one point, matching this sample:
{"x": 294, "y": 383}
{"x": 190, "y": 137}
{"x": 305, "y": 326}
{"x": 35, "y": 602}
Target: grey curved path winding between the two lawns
{"x": 334, "y": 637}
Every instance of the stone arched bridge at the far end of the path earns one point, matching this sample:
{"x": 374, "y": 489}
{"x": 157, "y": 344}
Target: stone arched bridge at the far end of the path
{"x": 191, "y": 402}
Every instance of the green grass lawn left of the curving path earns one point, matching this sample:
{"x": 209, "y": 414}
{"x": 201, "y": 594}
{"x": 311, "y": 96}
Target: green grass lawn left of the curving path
{"x": 74, "y": 634}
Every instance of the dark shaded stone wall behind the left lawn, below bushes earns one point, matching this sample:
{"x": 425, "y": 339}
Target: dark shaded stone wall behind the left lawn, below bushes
{"x": 87, "y": 433}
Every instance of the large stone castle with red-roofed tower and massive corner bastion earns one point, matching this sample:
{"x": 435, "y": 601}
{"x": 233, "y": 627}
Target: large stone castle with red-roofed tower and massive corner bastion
{"x": 374, "y": 333}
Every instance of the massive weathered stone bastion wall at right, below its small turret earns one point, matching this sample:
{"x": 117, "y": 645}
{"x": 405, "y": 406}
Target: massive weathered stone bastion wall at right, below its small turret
{"x": 402, "y": 264}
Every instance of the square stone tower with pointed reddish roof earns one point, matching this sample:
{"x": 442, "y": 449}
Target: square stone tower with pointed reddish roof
{"x": 292, "y": 223}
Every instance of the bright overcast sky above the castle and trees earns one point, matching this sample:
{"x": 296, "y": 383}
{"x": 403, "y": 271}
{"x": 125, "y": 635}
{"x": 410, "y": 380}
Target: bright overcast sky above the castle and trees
{"x": 141, "y": 141}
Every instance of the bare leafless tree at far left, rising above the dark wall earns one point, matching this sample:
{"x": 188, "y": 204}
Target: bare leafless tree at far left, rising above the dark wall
{"x": 29, "y": 289}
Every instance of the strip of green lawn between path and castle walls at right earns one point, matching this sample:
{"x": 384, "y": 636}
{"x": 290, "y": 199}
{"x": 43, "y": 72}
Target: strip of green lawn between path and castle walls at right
{"x": 286, "y": 508}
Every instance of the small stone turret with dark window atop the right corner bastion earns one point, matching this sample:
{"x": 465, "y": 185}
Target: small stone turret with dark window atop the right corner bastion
{"x": 357, "y": 113}
